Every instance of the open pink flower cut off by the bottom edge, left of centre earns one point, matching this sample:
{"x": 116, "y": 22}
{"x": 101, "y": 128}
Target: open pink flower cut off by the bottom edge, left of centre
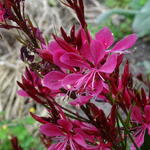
{"x": 63, "y": 136}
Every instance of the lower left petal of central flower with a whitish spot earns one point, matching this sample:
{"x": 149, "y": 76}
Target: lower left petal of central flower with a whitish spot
{"x": 70, "y": 81}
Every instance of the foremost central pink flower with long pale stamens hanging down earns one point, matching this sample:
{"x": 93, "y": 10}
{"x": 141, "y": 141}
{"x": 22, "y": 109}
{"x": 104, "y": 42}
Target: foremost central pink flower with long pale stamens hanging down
{"x": 90, "y": 78}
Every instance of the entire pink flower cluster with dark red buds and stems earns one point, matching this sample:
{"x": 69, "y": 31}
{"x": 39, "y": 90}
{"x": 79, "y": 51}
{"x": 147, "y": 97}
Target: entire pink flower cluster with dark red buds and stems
{"x": 86, "y": 71}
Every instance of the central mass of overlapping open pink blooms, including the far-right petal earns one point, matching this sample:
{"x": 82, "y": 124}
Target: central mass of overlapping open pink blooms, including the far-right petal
{"x": 86, "y": 64}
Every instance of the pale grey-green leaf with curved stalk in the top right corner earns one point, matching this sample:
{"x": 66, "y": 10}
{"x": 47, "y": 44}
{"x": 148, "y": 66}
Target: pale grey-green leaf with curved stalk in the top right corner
{"x": 141, "y": 21}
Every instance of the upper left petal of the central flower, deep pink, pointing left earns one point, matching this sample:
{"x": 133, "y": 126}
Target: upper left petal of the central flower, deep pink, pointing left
{"x": 73, "y": 60}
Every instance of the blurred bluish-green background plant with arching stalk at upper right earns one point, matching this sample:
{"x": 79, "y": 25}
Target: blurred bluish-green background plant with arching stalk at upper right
{"x": 140, "y": 28}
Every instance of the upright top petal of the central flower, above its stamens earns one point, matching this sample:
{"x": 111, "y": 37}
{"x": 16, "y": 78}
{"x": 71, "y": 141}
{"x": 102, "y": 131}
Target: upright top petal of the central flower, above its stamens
{"x": 97, "y": 51}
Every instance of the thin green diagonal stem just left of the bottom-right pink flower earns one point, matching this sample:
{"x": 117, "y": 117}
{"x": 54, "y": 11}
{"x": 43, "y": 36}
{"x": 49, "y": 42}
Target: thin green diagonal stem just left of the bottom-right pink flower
{"x": 127, "y": 131}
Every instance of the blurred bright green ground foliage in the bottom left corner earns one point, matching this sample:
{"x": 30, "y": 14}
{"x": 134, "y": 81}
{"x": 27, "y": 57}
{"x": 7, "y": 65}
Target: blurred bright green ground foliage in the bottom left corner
{"x": 18, "y": 128}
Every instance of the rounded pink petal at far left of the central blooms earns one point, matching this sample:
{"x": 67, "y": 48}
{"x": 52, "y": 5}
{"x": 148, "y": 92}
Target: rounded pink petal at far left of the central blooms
{"x": 53, "y": 80}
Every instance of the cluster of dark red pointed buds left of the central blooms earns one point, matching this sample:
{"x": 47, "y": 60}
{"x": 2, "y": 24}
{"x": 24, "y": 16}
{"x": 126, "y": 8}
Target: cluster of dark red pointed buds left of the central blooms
{"x": 31, "y": 86}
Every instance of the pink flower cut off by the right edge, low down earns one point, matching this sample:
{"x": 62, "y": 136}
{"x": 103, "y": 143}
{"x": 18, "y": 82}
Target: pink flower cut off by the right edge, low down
{"x": 143, "y": 119}
